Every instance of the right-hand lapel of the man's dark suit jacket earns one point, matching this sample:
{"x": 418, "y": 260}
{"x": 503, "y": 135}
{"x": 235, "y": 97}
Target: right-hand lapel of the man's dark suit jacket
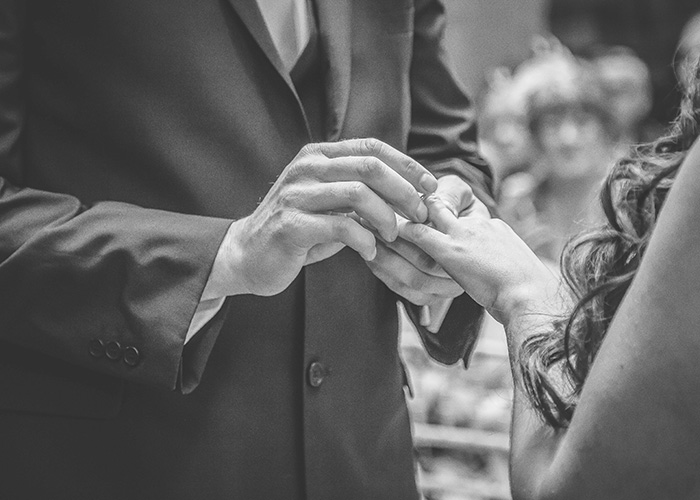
{"x": 334, "y": 18}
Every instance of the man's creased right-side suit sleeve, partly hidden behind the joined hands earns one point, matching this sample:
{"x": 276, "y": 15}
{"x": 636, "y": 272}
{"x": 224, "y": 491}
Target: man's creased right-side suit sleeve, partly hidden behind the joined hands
{"x": 443, "y": 137}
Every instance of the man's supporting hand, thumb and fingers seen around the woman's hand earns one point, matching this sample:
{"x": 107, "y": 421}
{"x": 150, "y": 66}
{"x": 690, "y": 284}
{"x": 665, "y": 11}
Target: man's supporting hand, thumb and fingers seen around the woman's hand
{"x": 412, "y": 273}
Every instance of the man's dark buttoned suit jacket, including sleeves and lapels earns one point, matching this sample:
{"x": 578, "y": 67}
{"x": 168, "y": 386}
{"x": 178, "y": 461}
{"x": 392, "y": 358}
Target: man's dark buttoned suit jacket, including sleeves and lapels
{"x": 131, "y": 133}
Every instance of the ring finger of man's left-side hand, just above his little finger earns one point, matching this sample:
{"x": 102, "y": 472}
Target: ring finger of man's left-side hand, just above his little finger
{"x": 348, "y": 197}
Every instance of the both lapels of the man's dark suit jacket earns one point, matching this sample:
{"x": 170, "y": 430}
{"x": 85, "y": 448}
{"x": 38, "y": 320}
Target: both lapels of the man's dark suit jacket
{"x": 334, "y": 31}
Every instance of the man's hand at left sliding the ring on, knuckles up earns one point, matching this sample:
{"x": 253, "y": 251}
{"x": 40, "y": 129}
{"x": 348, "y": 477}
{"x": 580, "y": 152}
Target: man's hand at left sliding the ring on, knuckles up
{"x": 303, "y": 217}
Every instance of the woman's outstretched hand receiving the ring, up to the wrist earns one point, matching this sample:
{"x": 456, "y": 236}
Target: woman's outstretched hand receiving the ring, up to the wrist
{"x": 493, "y": 265}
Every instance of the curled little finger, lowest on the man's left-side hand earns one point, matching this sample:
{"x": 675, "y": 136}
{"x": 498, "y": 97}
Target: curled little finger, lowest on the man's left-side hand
{"x": 322, "y": 229}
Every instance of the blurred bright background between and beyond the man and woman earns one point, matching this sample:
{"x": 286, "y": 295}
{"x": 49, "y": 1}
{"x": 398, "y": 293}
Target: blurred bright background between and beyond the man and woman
{"x": 562, "y": 89}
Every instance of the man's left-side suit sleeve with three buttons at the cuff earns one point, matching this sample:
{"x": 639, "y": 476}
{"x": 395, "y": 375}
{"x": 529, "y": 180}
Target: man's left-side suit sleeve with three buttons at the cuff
{"x": 88, "y": 283}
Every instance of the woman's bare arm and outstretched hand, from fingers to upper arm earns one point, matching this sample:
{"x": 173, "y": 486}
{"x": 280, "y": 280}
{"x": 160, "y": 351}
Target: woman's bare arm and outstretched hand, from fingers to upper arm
{"x": 636, "y": 430}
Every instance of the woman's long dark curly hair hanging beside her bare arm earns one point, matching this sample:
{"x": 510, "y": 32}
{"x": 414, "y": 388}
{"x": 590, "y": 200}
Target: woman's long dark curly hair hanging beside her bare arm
{"x": 598, "y": 266}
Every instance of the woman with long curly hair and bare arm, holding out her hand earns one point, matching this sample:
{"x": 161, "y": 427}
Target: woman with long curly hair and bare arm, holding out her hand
{"x": 606, "y": 402}
